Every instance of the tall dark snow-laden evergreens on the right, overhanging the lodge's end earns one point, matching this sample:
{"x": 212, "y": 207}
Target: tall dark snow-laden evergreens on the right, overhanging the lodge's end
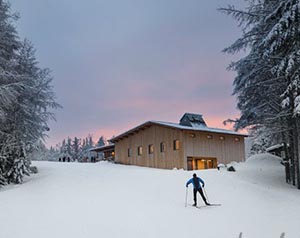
{"x": 267, "y": 79}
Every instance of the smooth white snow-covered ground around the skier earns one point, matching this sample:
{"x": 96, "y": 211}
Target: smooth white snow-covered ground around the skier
{"x": 74, "y": 200}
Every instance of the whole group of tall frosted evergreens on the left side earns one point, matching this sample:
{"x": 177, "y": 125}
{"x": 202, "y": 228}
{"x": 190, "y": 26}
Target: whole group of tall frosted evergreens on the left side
{"x": 27, "y": 100}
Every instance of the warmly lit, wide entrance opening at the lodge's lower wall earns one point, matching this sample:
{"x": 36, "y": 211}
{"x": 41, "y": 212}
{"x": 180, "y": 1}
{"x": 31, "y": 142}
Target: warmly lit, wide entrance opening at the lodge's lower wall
{"x": 197, "y": 163}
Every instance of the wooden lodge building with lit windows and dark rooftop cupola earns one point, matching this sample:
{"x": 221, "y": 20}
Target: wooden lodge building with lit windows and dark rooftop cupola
{"x": 189, "y": 145}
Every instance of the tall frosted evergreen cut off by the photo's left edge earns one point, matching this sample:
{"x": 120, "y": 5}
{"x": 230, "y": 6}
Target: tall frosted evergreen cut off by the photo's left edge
{"x": 9, "y": 86}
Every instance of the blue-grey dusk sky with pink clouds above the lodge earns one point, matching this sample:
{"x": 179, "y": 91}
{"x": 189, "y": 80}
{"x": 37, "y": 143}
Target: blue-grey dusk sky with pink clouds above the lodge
{"x": 118, "y": 63}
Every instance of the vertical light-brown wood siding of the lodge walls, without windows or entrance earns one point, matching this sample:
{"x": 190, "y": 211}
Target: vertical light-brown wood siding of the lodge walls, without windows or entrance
{"x": 199, "y": 146}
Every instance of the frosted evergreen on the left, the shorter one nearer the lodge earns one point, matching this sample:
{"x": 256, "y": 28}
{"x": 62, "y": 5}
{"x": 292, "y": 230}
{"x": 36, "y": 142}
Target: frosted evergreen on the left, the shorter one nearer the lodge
{"x": 29, "y": 116}
